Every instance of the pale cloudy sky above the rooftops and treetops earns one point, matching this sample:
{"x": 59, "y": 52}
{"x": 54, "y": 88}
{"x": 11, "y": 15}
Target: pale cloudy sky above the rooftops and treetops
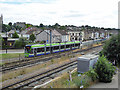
{"x": 99, "y": 13}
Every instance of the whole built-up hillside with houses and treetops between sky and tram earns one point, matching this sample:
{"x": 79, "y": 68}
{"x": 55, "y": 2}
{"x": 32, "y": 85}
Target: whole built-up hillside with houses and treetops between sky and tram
{"x": 57, "y": 33}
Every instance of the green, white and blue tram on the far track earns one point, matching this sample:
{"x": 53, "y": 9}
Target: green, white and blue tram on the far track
{"x": 42, "y": 49}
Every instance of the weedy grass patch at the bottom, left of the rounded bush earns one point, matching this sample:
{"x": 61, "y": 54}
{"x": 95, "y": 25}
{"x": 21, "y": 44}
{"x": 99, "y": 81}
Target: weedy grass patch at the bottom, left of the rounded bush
{"x": 77, "y": 81}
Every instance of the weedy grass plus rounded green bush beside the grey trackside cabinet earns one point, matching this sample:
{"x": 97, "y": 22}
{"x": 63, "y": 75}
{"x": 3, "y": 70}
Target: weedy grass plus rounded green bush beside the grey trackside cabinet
{"x": 103, "y": 71}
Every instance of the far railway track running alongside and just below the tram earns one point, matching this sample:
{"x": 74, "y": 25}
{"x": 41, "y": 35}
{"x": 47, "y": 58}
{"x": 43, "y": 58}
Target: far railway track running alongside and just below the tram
{"x": 30, "y": 63}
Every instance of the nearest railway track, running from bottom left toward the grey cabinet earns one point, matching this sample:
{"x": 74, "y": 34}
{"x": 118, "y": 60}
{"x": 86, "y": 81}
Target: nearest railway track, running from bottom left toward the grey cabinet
{"x": 39, "y": 76}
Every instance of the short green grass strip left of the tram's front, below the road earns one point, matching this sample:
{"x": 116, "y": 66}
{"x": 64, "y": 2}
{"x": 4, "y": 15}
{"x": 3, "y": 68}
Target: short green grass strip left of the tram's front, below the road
{"x": 11, "y": 55}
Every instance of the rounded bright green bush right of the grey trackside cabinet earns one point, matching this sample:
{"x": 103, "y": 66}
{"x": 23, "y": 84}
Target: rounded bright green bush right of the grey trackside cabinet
{"x": 104, "y": 69}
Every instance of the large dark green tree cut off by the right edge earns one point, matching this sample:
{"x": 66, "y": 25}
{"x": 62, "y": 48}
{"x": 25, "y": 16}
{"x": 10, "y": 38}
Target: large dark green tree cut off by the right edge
{"x": 111, "y": 49}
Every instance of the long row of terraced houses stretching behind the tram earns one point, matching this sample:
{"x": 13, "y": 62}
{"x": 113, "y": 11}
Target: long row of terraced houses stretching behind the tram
{"x": 71, "y": 34}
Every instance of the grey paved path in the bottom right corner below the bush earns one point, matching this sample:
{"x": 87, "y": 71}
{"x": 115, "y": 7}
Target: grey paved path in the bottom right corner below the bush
{"x": 112, "y": 86}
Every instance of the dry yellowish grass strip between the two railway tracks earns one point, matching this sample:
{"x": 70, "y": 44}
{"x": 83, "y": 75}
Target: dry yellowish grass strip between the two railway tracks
{"x": 14, "y": 74}
